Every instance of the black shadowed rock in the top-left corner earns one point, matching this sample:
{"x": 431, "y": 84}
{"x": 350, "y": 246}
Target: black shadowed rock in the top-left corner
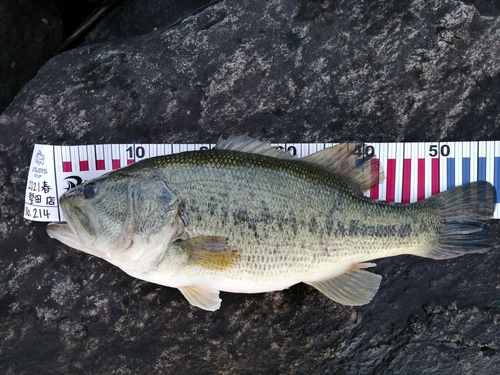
{"x": 30, "y": 32}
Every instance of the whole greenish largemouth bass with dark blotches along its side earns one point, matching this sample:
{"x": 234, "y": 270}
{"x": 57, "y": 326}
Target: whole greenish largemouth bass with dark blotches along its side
{"x": 245, "y": 217}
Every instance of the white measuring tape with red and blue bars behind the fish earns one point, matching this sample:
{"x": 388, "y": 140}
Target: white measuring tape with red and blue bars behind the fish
{"x": 414, "y": 171}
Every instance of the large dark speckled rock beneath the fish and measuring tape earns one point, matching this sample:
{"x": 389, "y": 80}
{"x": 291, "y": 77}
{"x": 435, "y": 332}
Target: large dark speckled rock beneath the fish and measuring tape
{"x": 298, "y": 70}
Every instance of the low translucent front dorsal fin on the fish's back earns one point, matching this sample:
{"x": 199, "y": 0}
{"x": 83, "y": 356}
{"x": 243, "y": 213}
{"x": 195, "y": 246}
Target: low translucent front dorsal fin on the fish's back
{"x": 245, "y": 143}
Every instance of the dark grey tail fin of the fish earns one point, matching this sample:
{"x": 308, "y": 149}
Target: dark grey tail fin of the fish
{"x": 464, "y": 210}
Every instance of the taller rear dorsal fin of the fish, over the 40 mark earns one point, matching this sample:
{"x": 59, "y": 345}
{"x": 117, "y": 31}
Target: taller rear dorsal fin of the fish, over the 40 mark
{"x": 351, "y": 161}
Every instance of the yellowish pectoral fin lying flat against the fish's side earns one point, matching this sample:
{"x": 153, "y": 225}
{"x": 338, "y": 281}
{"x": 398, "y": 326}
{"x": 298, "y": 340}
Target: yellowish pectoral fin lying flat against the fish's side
{"x": 211, "y": 252}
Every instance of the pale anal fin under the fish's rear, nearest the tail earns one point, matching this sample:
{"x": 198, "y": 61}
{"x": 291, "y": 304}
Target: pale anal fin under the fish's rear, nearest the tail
{"x": 355, "y": 287}
